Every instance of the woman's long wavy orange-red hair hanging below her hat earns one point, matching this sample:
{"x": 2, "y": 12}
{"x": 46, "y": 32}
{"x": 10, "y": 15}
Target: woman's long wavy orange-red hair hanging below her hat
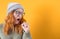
{"x": 10, "y": 26}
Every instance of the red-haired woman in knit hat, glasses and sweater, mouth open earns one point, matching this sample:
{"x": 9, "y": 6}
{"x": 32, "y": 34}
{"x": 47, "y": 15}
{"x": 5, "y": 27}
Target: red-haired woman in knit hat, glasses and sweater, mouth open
{"x": 15, "y": 26}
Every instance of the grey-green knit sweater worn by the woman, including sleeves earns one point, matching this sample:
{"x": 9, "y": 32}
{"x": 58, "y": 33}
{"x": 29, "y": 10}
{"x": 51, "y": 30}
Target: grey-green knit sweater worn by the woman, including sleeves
{"x": 13, "y": 35}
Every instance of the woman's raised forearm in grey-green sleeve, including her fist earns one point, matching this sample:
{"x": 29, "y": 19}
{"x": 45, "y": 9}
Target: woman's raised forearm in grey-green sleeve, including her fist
{"x": 26, "y": 33}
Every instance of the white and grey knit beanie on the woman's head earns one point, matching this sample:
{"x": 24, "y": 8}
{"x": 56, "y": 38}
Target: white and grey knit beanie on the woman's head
{"x": 12, "y": 6}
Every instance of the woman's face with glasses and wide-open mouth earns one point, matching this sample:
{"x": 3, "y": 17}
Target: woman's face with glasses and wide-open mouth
{"x": 18, "y": 14}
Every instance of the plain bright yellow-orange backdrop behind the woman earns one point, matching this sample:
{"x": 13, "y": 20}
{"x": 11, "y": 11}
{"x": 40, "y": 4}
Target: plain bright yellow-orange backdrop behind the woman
{"x": 42, "y": 15}
